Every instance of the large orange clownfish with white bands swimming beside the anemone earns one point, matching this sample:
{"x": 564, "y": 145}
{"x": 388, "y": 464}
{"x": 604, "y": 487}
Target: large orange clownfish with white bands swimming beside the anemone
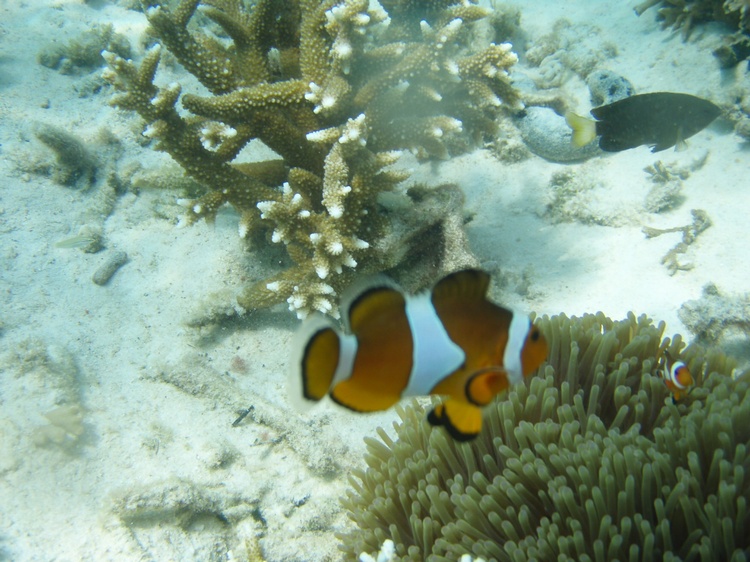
{"x": 449, "y": 341}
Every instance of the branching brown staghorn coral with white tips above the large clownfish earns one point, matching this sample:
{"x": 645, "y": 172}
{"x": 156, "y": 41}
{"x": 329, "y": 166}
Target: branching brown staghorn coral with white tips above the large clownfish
{"x": 337, "y": 90}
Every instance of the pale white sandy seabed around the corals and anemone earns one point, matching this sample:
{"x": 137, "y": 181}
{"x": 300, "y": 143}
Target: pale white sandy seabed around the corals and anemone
{"x": 159, "y": 397}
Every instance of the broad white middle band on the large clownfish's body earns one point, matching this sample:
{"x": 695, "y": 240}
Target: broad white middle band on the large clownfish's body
{"x": 435, "y": 354}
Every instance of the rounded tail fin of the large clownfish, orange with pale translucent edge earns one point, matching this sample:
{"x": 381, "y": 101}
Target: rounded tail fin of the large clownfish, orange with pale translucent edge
{"x": 315, "y": 357}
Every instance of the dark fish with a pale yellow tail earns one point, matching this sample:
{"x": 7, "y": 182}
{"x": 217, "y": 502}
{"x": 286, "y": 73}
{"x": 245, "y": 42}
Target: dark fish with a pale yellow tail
{"x": 660, "y": 120}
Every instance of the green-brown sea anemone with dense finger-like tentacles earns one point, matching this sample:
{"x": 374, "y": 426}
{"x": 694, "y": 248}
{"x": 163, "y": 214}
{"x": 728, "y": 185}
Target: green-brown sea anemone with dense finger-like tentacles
{"x": 588, "y": 459}
